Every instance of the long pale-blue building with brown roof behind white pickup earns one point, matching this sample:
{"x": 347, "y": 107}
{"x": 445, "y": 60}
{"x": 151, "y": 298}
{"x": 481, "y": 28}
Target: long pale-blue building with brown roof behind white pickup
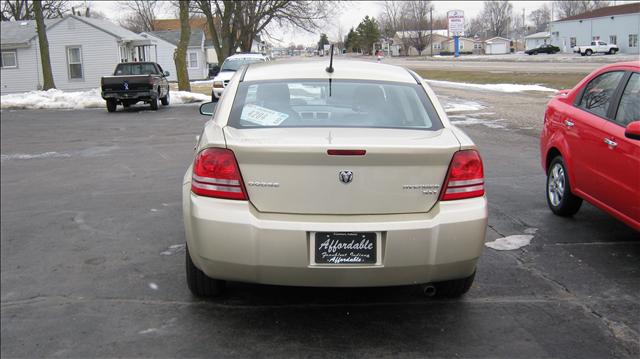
{"x": 618, "y": 25}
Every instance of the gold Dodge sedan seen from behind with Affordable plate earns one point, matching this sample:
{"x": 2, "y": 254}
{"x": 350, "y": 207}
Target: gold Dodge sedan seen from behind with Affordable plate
{"x": 345, "y": 178}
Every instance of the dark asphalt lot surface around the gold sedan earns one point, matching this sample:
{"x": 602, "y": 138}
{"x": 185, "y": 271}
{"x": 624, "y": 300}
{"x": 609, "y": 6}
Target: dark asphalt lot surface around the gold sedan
{"x": 92, "y": 262}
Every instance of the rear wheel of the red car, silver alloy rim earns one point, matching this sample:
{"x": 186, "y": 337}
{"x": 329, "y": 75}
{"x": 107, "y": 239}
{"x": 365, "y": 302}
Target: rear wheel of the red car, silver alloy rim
{"x": 560, "y": 199}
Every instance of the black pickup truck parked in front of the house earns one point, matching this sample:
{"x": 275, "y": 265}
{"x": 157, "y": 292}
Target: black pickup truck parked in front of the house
{"x": 133, "y": 82}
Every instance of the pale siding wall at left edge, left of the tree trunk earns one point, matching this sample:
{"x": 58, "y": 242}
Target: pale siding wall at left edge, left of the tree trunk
{"x": 26, "y": 76}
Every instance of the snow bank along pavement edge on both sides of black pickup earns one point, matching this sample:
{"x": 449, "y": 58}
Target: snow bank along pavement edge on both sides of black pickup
{"x": 57, "y": 99}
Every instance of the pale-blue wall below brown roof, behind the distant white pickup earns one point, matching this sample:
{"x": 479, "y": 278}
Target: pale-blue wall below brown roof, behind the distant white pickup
{"x": 620, "y": 26}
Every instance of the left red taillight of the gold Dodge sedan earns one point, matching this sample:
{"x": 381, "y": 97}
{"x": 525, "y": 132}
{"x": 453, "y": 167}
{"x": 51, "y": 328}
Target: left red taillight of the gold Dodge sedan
{"x": 216, "y": 174}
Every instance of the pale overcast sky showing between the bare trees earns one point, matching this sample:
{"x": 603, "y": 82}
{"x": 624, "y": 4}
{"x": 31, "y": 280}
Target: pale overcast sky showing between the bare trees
{"x": 352, "y": 12}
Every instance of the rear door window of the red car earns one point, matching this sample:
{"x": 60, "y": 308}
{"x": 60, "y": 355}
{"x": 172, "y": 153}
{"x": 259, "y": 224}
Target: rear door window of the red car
{"x": 598, "y": 93}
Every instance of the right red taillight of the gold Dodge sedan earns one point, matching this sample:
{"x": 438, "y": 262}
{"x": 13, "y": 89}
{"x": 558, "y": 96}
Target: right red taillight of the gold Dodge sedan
{"x": 465, "y": 178}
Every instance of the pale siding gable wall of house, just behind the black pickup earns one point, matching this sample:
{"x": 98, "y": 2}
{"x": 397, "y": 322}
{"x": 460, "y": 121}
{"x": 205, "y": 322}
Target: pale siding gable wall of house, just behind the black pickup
{"x": 100, "y": 53}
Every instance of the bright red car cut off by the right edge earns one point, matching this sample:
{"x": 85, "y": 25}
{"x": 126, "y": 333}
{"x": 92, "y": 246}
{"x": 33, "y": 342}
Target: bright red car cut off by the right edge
{"x": 590, "y": 144}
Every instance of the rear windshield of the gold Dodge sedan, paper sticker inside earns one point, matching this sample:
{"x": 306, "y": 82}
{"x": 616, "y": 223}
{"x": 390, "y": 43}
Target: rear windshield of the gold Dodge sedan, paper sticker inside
{"x": 339, "y": 103}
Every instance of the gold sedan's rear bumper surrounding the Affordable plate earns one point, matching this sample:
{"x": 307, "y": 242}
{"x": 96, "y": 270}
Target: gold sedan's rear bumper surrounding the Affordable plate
{"x": 231, "y": 240}
